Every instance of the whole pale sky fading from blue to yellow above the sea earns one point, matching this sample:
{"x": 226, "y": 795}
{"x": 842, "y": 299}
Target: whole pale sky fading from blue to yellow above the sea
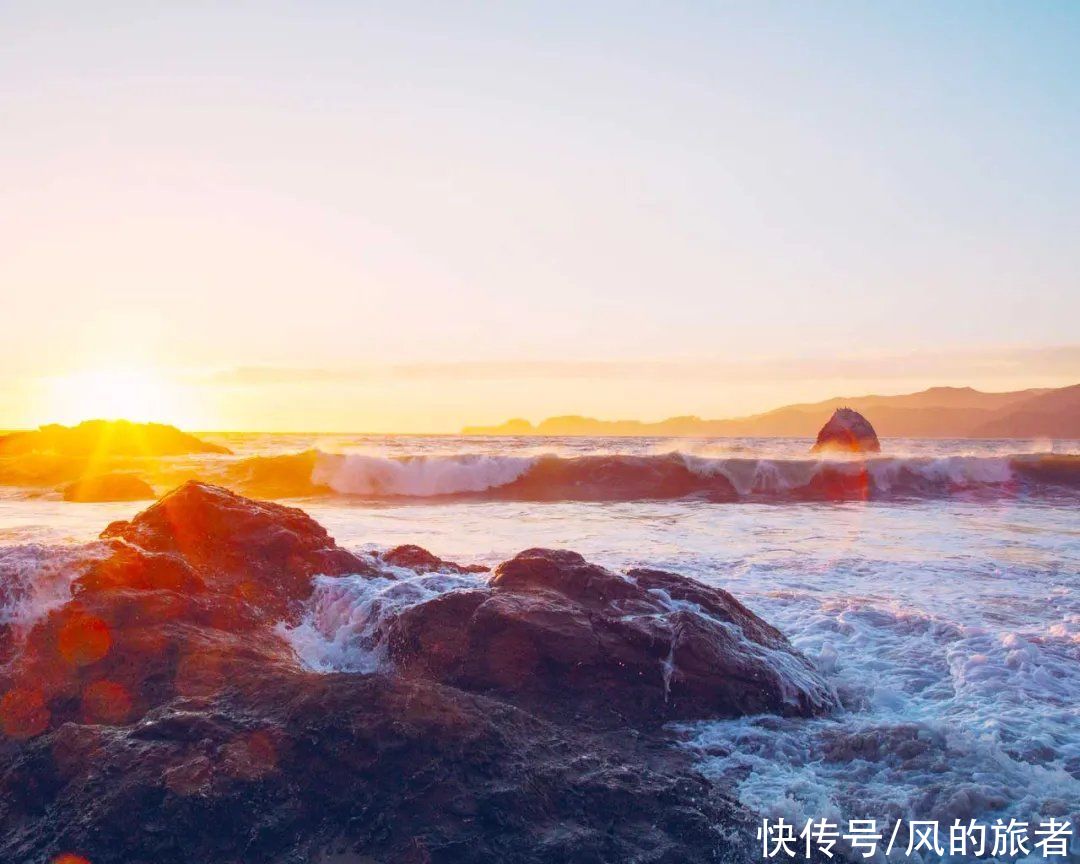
{"x": 403, "y": 217}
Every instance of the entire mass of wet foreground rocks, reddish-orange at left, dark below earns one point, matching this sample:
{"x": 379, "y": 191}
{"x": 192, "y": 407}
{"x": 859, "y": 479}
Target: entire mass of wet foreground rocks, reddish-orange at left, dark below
{"x": 160, "y": 717}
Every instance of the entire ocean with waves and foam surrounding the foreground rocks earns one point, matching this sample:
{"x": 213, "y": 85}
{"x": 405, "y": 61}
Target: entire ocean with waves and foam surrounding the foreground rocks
{"x": 937, "y": 586}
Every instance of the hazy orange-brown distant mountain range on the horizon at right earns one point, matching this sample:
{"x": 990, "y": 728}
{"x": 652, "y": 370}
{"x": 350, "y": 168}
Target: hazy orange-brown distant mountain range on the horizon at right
{"x": 939, "y": 413}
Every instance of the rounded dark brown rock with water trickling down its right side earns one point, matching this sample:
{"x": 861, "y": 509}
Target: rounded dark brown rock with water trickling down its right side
{"x": 562, "y": 638}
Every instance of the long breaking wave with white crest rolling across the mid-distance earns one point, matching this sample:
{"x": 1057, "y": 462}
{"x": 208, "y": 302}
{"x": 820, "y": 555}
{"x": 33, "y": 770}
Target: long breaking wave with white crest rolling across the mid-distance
{"x": 667, "y": 477}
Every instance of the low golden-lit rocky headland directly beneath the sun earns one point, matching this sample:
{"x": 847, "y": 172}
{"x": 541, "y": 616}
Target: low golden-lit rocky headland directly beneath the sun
{"x": 103, "y": 439}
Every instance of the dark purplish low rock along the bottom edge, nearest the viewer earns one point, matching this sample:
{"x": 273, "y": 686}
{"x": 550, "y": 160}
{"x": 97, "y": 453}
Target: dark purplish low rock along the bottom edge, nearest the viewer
{"x": 358, "y": 769}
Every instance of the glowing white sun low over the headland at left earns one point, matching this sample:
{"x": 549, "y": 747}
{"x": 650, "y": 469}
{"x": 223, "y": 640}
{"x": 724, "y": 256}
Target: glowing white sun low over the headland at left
{"x": 117, "y": 394}
